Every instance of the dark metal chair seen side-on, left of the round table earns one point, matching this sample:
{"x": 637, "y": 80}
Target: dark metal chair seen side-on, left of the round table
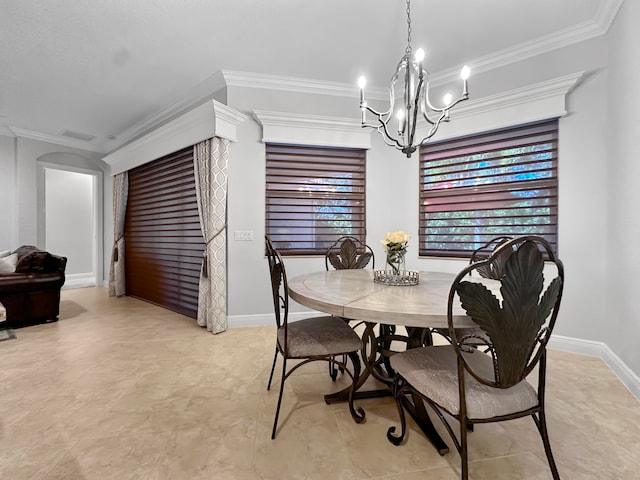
{"x": 310, "y": 339}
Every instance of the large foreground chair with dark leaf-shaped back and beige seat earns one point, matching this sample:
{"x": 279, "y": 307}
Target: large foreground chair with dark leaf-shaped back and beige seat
{"x": 490, "y": 386}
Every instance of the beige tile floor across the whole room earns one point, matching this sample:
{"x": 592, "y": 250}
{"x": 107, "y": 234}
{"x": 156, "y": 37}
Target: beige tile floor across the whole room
{"x": 120, "y": 389}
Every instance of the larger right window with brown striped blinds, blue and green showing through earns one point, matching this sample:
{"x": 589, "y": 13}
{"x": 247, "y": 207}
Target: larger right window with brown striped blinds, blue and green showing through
{"x": 475, "y": 188}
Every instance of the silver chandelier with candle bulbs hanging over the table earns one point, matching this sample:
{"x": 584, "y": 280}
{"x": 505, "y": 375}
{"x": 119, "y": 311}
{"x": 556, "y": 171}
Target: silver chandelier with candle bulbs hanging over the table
{"x": 415, "y": 97}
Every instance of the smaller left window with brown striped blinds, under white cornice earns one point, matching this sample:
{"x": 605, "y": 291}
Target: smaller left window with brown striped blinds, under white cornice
{"x": 313, "y": 196}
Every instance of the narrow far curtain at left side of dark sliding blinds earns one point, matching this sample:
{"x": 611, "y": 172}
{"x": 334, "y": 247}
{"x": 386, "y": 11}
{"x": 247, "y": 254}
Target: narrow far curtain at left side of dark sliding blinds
{"x": 117, "y": 286}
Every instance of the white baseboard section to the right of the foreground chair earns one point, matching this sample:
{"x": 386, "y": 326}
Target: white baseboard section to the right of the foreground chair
{"x": 600, "y": 350}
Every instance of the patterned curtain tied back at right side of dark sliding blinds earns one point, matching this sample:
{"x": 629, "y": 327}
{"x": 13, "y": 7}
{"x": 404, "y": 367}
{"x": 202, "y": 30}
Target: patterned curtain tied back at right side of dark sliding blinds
{"x": 210, "y": 159}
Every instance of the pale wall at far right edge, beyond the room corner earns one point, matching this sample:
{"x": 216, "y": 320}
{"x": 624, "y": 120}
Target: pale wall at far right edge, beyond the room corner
{"x": 620, "y": 327}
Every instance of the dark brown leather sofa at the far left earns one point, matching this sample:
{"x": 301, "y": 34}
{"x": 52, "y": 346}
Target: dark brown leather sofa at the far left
{"x": 31, "y": 294}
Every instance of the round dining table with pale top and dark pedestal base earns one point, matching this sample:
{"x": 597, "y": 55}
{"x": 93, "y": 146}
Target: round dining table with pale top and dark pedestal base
{"x": 420, "y": 309}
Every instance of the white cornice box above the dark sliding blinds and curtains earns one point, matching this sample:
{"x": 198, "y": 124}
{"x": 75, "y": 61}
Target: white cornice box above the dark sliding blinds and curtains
{"x": 205, "y": 121}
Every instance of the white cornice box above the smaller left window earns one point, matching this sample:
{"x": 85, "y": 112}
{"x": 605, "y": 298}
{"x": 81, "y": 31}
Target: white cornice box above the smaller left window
{"x": 304, "y": 129}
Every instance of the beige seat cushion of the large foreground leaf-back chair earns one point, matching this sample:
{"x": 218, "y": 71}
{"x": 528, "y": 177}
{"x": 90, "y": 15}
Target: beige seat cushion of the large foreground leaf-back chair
{"x": 433, "y": 372}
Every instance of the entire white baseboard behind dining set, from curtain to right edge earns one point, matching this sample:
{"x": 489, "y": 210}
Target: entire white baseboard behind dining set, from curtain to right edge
{"x": 567, "y": 344}
